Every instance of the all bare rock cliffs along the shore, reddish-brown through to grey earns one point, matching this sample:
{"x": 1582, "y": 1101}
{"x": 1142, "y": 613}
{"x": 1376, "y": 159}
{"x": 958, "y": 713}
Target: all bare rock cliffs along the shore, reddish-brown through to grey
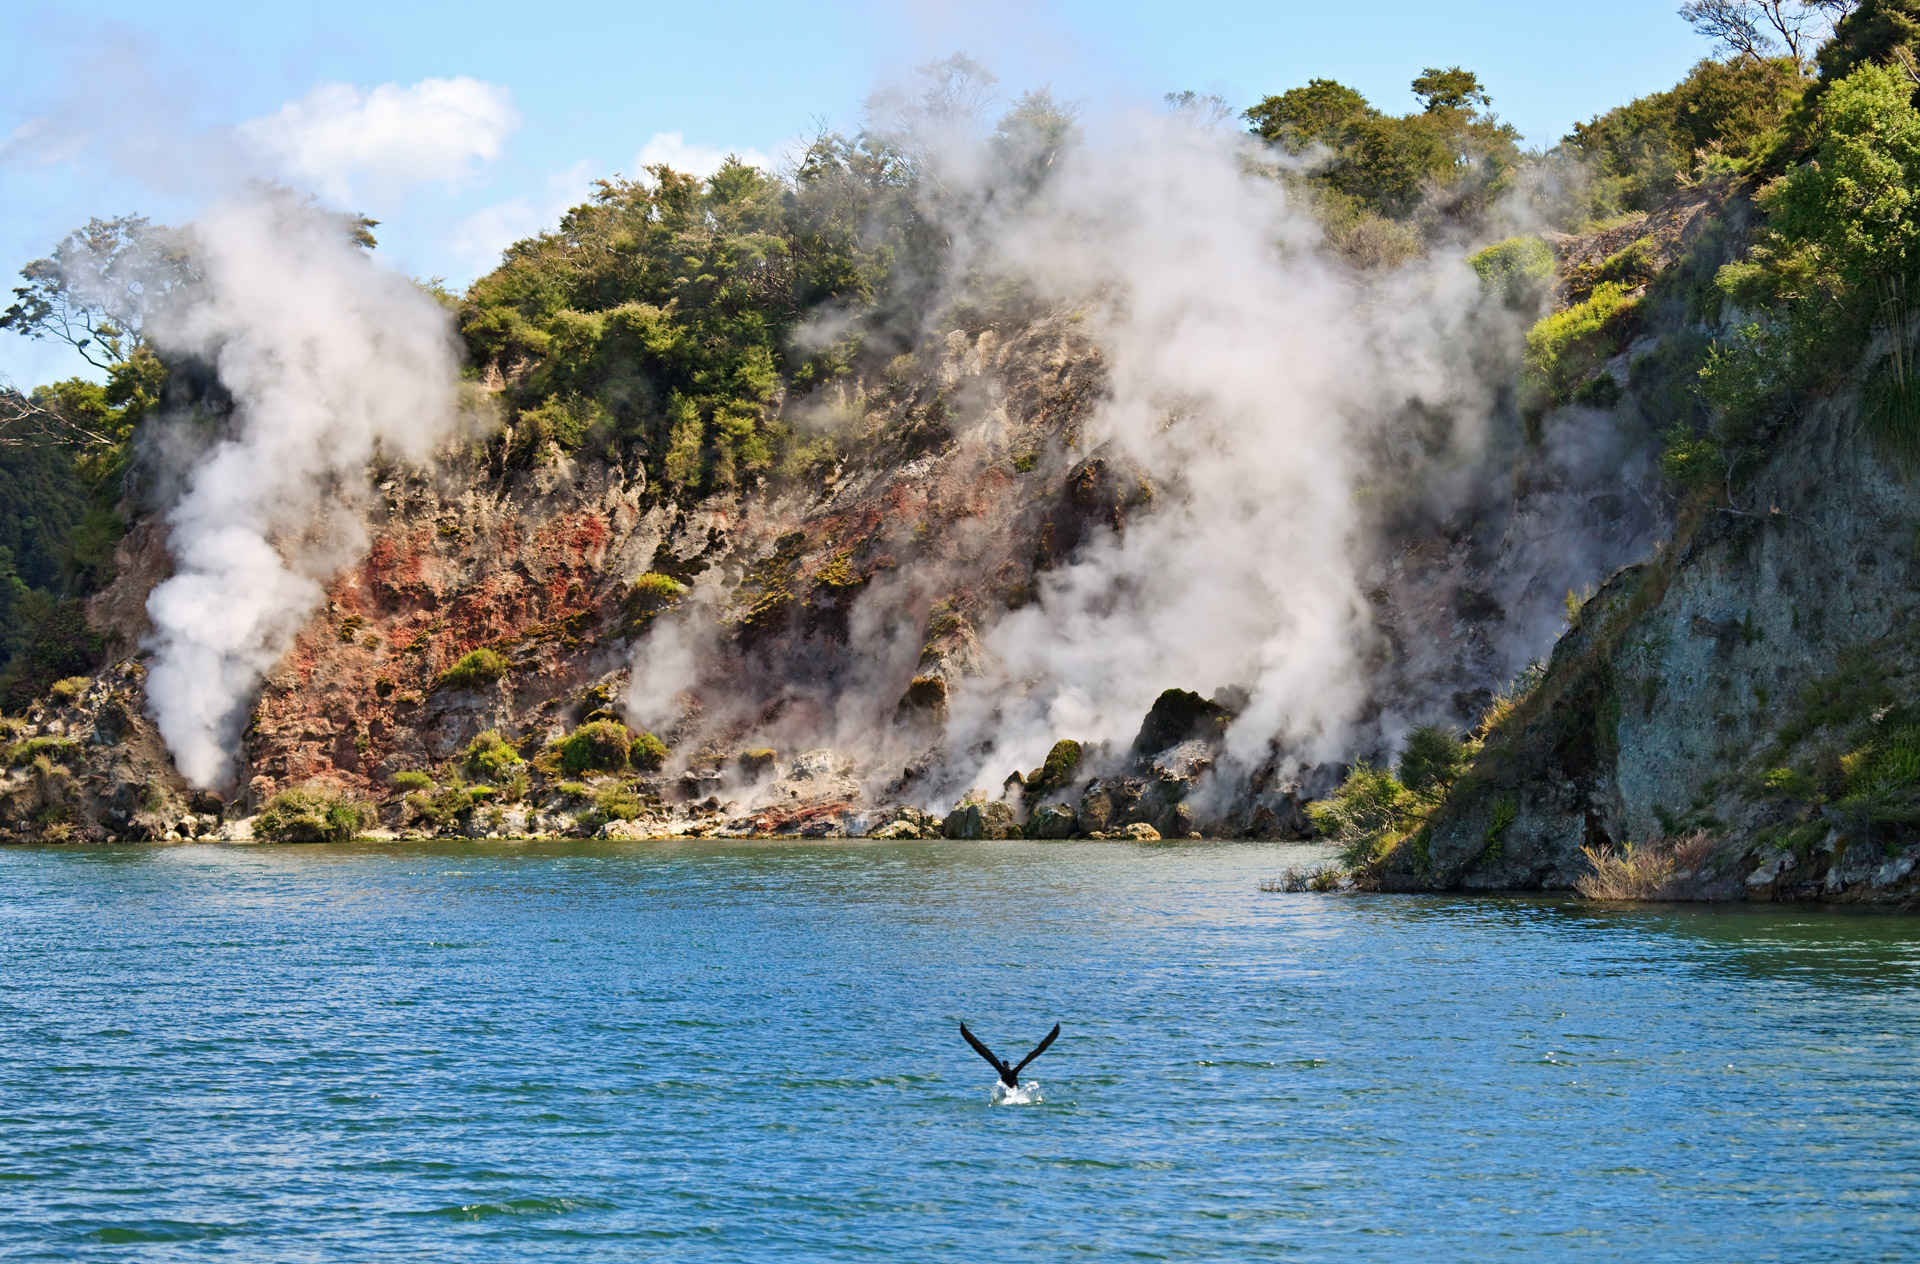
{"x": 556, "y": 646}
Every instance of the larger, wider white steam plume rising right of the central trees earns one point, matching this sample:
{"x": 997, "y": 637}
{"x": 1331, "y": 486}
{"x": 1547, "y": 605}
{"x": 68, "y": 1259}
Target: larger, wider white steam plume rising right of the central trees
{"x": 1245, "y": 374}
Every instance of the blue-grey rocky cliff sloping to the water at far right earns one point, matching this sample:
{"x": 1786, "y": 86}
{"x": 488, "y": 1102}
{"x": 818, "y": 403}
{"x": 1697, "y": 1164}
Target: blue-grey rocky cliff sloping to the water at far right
{"x": 1748, "y": 691}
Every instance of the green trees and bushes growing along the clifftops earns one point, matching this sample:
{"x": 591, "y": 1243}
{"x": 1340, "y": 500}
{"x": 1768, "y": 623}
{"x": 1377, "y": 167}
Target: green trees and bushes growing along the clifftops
{"x": 683, "y": 328}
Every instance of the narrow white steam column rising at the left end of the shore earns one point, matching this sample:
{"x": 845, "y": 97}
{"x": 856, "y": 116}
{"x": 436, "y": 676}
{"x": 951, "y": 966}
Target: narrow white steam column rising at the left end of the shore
{"x": 329, "y": 358}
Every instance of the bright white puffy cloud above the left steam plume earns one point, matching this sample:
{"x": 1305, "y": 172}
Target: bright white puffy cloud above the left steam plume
{"x": 348, "y": 141}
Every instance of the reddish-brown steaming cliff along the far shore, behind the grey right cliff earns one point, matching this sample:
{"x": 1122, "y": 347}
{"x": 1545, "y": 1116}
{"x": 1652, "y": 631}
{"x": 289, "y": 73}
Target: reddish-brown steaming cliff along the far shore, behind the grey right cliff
{"x": 815, "y": 646}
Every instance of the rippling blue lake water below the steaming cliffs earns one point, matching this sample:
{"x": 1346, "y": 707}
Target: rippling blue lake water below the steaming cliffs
{"x": 748, "y": 1052}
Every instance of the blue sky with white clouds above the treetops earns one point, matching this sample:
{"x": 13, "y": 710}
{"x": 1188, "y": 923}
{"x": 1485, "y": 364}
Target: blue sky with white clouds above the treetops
{"x": 149, "y": 109}
